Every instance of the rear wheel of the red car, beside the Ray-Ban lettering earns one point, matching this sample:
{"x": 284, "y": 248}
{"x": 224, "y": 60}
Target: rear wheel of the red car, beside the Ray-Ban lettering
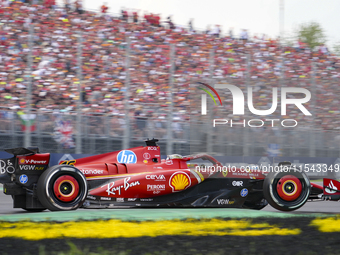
{"x": 62, "y": 188}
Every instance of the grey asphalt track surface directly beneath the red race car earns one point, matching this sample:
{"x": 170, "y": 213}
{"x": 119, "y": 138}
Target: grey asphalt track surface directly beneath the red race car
{"x": 311, "y": 207}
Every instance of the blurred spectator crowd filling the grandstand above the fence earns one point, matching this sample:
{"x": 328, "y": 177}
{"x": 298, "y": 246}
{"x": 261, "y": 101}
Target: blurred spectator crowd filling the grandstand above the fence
{"x": 258, "y": 61}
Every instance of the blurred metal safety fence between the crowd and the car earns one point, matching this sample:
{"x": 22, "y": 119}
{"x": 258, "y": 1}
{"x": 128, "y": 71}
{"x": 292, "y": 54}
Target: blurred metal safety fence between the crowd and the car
{"x": 100, "y": 133}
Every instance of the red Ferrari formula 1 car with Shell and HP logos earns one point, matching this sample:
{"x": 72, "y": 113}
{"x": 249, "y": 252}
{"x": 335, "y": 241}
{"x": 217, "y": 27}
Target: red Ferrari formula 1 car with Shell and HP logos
{"x": 139, "y": 177}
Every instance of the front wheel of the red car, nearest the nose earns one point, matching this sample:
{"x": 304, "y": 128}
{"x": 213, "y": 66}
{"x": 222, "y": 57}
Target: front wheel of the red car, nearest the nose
{"x": 287, "y": 191}
